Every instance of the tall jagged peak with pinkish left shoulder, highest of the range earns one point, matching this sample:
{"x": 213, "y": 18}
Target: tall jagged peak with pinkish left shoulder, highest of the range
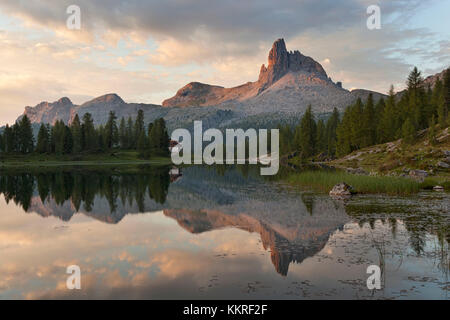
{"x": 289, "y": 83}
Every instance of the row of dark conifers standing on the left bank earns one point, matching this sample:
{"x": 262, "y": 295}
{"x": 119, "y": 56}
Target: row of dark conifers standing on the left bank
{"x": 84, "y": 137}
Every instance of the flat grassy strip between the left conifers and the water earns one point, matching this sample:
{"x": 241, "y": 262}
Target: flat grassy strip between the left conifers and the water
{"x": 92, "y": 159}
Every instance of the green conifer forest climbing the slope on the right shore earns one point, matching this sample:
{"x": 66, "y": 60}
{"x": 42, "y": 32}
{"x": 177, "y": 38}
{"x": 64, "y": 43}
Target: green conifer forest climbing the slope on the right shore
{"x": 367, "y": 123}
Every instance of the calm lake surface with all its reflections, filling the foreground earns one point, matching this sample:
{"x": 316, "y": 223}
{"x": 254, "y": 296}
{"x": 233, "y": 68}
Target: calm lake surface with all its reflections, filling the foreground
{"x": 213, "y": 233}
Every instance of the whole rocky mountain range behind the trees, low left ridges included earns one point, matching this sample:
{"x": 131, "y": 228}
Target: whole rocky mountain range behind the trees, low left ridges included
{"x": 290, "y": 82}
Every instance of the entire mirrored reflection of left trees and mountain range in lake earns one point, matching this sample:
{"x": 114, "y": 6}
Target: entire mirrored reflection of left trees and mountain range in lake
{"x": 205, "y": 199}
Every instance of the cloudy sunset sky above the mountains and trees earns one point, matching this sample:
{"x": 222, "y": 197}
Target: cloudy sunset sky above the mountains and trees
{"x": 146, "y": 50}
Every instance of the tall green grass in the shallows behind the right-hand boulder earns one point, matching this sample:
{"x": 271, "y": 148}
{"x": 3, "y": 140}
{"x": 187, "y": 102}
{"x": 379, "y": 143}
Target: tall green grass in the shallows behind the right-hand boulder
{"x": 323, "y": 181}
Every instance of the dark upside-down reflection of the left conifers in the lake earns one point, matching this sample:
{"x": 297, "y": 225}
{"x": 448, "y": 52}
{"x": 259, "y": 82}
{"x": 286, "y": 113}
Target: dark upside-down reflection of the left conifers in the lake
{"x": 83, "y": 186}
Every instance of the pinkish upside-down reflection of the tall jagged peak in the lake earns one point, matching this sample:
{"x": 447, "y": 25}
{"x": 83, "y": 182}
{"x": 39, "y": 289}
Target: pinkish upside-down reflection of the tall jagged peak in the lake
{"x": 292, "y": 239}
